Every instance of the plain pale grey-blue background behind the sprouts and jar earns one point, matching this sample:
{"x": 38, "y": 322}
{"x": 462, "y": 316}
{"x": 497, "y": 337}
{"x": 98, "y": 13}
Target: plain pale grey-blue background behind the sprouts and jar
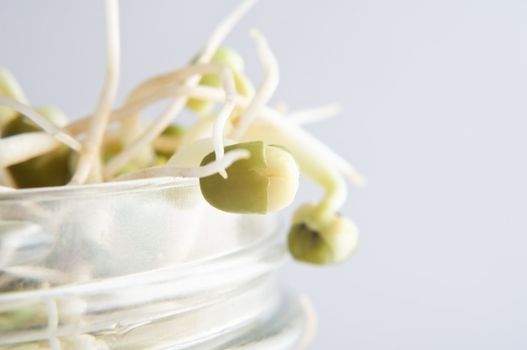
{"x": 434, "y": 96}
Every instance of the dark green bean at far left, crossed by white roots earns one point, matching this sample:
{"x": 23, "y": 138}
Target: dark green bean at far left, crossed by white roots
{"x": 53, "y": 168}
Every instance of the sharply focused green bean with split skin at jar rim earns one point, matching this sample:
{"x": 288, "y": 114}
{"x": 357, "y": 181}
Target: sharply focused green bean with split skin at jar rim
{"x": 265, "y": 182}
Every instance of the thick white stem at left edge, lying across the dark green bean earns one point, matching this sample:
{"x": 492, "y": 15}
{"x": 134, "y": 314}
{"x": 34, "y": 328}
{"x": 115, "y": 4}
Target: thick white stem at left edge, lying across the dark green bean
{"x": 19, "y": 148}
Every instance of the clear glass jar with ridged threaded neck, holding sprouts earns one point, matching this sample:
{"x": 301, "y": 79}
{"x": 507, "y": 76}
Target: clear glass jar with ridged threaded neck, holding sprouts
{"x": 143, "y": 264}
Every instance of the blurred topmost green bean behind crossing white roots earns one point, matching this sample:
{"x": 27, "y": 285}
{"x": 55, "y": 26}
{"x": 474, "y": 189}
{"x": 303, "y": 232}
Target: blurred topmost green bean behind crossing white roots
{"x": 234, "y": 62}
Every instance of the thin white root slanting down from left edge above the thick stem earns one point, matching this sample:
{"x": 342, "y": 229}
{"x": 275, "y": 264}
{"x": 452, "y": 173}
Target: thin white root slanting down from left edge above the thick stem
{"x": 40, "y": 121}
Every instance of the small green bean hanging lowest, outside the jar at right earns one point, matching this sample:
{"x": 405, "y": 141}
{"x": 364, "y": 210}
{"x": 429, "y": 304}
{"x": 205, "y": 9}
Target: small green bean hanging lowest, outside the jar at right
{"x": 321, "y": 240}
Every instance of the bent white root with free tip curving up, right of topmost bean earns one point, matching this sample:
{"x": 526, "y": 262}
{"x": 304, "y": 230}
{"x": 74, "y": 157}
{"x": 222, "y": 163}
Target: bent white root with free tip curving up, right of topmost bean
{"x": 265, "y": 90}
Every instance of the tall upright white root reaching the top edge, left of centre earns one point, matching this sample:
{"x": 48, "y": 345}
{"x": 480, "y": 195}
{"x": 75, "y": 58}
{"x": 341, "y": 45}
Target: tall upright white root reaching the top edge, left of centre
{"x": 91, "y": 149}
